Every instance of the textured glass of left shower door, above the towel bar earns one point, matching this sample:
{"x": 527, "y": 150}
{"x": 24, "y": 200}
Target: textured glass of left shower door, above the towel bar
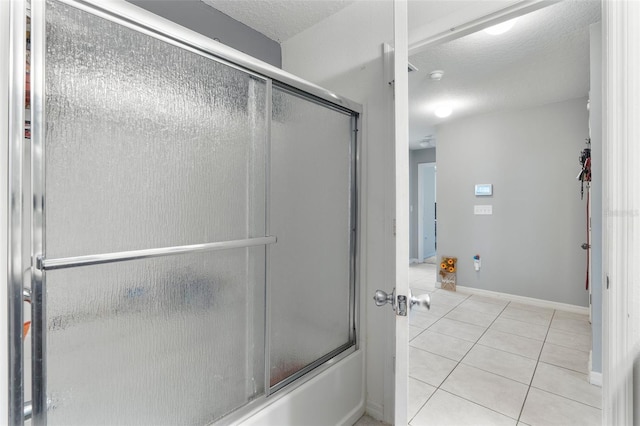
{"x": 147, "y": 144}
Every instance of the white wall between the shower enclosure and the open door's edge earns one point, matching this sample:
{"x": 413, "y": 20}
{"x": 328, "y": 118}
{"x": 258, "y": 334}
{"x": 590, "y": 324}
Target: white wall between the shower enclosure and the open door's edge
{"x": 343, "y": 53}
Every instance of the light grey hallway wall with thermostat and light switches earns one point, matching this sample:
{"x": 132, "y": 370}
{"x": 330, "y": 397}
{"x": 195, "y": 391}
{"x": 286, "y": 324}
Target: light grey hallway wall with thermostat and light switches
{"x": 530, "y": 245}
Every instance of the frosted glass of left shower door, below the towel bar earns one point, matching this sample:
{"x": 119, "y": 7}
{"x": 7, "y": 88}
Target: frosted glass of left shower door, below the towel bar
{"x": 170, "y": 341}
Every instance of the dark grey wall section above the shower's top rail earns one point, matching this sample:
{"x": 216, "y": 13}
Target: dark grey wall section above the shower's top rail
{"x": 200, "y": 17}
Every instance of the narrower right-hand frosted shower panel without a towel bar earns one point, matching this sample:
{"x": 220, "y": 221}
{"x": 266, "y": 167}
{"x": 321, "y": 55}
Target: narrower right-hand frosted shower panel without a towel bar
{"x": 310, "y": 193}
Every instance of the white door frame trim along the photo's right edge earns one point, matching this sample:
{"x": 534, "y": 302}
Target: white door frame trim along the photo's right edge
{"x": 621, "y": 210}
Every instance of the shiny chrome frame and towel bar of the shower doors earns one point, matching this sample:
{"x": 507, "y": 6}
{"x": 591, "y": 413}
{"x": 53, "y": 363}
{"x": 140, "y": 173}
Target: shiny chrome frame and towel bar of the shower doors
{"x": 144, "y": 22}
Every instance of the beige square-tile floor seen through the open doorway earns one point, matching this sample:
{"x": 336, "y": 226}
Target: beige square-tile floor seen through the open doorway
{"x": 486, "y": 361}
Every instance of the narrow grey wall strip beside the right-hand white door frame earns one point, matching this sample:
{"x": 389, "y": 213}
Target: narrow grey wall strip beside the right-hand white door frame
{"x": 595, "y": 123}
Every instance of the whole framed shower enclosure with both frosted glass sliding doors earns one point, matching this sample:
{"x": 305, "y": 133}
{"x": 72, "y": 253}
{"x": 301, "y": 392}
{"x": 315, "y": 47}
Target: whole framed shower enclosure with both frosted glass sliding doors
{"x": 193, "y": 223}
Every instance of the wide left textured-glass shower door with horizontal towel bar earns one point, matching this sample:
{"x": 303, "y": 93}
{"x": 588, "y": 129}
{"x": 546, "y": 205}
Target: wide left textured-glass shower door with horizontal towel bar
{"x": 154, "y": 164}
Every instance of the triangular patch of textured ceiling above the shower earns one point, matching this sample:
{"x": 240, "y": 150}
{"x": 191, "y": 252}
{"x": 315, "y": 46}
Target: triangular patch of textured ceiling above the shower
{"x": 279, "y": 19}
